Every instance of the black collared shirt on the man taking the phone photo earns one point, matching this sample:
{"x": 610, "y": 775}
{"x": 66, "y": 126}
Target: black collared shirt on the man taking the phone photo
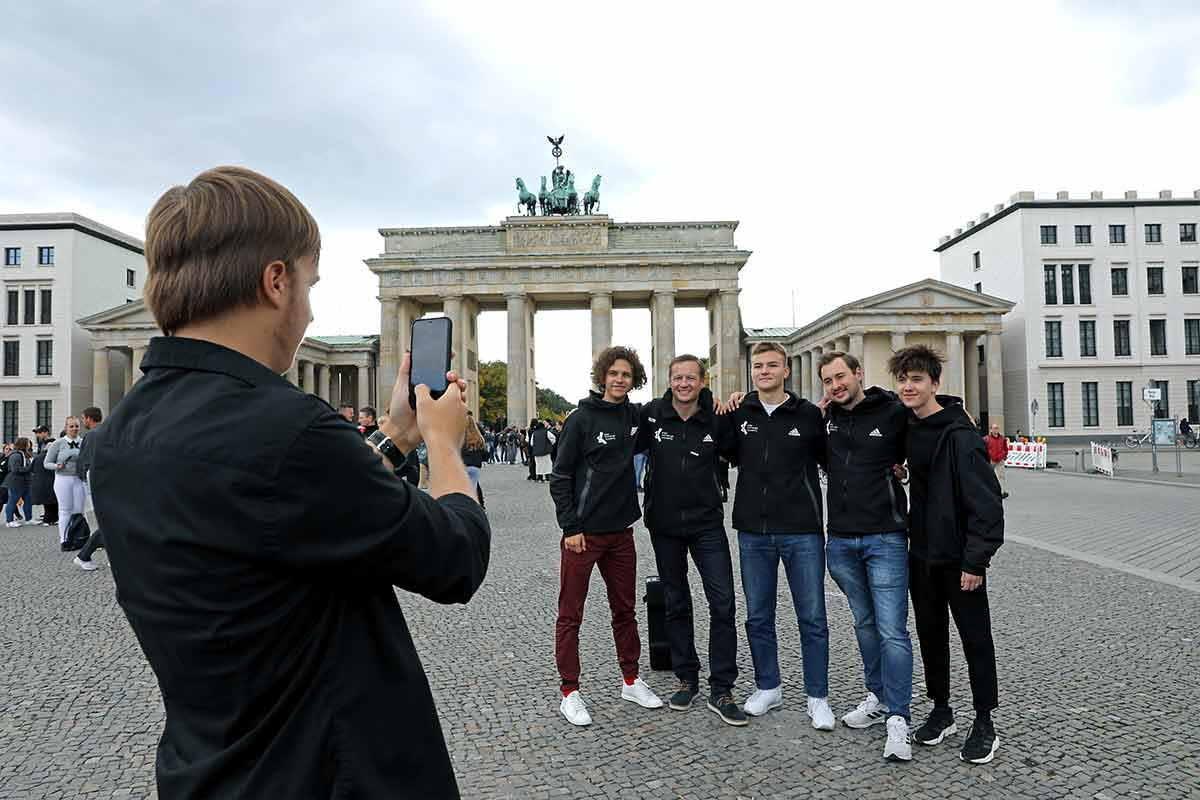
{"x": 256, "y": 545}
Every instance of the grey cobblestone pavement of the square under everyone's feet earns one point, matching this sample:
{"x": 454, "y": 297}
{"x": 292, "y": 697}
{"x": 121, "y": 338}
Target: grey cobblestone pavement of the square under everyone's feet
{"x": 1099, "y": 676}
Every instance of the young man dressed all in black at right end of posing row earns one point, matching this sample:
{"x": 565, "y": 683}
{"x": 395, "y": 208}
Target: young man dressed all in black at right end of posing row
{"x": 957, "y": 525}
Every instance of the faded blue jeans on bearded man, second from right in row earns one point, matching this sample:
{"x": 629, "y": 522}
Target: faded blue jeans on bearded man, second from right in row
{"x": 873, "y": 573}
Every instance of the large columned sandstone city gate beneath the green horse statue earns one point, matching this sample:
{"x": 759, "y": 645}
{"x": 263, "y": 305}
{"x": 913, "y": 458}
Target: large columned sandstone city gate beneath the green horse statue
{"x": 566, "y": 262}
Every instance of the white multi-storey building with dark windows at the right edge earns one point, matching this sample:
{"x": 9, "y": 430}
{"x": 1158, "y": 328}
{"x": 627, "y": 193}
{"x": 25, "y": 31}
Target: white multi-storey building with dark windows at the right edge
{"x": 1107, "y": 303}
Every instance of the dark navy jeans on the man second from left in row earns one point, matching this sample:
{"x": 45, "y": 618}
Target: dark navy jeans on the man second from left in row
{"x": 711, "y": 552}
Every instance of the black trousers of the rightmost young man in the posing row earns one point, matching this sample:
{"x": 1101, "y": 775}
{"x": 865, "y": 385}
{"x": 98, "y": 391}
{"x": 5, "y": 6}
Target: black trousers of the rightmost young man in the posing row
{"x": 937, "y": 597}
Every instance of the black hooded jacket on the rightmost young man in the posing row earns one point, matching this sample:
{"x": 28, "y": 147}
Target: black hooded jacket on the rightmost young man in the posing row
{"x": 958, "y": 518}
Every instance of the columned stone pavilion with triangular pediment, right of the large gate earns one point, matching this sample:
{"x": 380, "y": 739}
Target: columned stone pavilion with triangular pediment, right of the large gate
{"x": 963, "y": 324}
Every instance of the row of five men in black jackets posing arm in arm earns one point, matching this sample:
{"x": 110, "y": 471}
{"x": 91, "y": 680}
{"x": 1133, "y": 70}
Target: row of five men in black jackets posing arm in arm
{"x": 881, "y": 549}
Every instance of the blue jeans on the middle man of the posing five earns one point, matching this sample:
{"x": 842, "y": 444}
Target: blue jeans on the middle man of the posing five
{"x": 803, "y": 557}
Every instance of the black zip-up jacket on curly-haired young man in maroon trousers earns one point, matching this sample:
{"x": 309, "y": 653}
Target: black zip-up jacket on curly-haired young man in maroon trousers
{"x": 593, "y": 479}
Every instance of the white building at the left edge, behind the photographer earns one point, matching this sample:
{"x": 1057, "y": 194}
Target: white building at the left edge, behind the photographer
{"x": 57, "y": 269}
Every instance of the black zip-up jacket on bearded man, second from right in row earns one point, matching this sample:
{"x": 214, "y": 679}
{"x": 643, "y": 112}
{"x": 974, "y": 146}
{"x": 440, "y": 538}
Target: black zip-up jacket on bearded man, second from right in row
{"x": 863, "y": 444}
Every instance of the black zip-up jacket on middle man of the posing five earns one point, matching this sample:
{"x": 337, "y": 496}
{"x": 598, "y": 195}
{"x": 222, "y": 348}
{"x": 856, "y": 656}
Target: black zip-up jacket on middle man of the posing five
{"x": 779, "y": 490}
